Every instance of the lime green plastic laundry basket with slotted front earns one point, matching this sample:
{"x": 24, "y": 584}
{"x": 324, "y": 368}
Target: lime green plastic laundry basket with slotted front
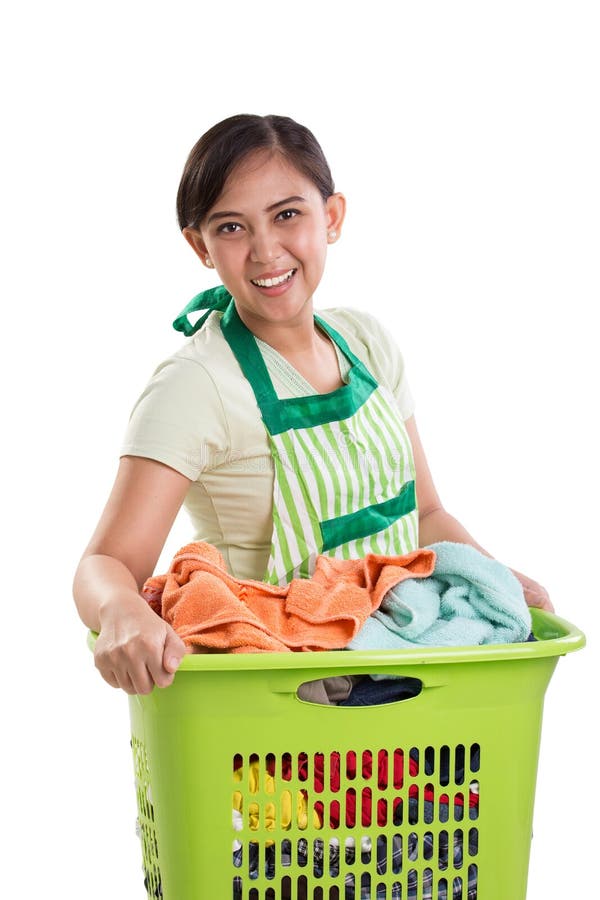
{"x": 246, "y": 792}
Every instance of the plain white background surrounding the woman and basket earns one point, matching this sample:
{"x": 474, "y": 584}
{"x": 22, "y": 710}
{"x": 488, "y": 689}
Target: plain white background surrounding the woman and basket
{"x": 465, "y": 136}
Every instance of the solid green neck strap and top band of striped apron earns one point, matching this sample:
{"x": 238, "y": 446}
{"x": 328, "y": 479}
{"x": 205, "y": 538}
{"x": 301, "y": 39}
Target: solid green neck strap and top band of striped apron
{"x": 296, "y": 412}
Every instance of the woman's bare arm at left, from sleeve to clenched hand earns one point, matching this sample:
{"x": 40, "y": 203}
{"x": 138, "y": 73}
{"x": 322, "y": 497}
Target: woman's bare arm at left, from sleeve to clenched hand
{"x": 135, "y": 649}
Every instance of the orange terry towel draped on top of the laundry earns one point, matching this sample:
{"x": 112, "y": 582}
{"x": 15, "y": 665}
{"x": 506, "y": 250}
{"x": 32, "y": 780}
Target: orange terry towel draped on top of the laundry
{"x": 210, "y": 609}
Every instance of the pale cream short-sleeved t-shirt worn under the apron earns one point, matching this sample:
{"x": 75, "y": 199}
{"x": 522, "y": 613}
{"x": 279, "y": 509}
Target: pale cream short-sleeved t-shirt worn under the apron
{"x": 198, "y": 414}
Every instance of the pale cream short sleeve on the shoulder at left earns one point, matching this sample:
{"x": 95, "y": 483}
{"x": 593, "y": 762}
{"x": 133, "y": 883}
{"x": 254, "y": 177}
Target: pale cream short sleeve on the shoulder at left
{"x": 178, "y": 419}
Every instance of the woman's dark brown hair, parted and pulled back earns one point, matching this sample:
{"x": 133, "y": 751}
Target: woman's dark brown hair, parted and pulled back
{"x": 225, "y": 145}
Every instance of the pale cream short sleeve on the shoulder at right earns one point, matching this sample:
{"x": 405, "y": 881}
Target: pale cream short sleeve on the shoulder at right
{"x": 376, "y": 347}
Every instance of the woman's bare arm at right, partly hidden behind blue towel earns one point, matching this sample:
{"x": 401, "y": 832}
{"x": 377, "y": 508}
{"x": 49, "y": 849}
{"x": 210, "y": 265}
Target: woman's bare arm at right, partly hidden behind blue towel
{"x": 435, "y": 524}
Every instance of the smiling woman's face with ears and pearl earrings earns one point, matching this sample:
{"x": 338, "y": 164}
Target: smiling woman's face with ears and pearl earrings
{"x": 267, "y": 237}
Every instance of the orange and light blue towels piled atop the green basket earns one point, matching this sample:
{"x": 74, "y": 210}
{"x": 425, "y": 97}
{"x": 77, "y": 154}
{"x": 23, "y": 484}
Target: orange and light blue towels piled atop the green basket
{"x": 446, "y": 595}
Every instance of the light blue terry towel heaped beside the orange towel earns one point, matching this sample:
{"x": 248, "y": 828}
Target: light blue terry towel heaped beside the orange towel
{"x": 470, "y": 599}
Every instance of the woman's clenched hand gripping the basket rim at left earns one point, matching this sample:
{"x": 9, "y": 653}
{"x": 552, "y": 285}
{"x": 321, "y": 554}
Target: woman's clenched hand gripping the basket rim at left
{"x": 136, "y": 650}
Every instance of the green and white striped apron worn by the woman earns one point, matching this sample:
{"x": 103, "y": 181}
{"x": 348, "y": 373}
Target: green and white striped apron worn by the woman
{"x": 343, "y": 465}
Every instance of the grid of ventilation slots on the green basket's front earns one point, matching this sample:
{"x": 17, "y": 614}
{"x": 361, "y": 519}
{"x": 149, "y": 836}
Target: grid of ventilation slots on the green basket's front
{"x": 357, "y": 825}
